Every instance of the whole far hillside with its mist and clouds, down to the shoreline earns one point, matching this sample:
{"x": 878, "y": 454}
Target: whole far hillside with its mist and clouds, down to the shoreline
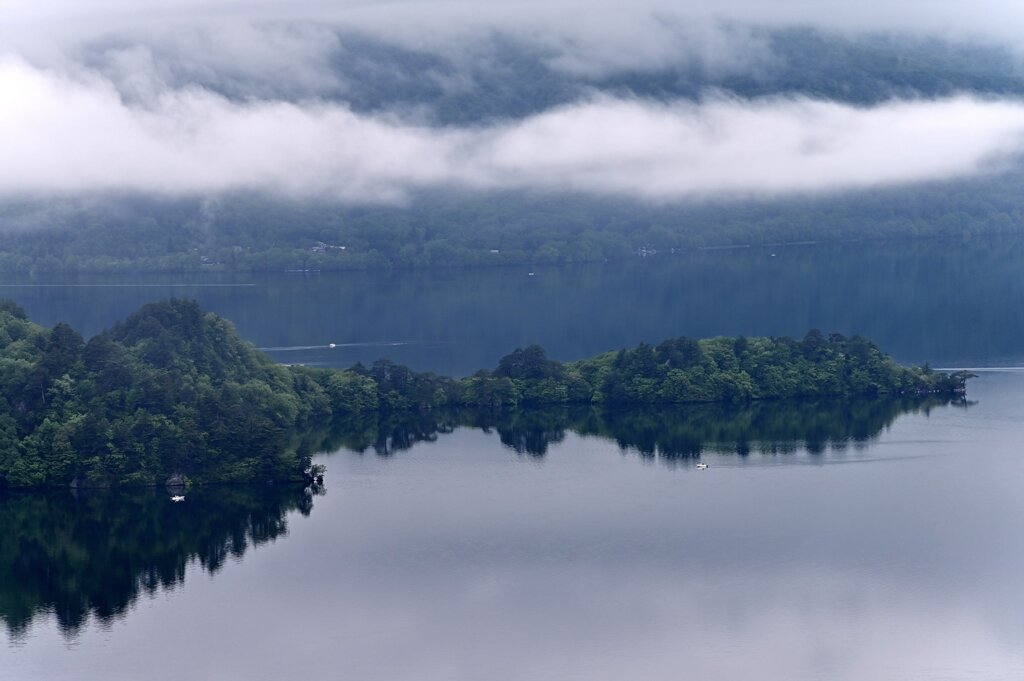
{"x": 244, "y": 138}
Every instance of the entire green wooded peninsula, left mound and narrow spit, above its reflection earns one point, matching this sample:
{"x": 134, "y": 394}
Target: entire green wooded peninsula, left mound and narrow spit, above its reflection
{"x": 174, "y": 394}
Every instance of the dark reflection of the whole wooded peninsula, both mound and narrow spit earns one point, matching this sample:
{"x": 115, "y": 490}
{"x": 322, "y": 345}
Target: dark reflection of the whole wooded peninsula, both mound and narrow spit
{"x": 94, "y": 555}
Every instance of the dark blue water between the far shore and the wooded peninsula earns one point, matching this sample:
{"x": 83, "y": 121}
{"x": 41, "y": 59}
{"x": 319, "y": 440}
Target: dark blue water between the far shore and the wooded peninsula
{"x": 943, "y": 303}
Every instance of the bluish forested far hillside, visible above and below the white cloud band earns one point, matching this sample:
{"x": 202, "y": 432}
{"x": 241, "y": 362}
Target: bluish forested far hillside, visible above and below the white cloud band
{"x": 503, "y": 79}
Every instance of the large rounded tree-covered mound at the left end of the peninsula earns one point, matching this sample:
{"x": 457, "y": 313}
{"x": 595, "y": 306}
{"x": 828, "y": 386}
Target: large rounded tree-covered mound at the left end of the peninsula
{"x": 173, "y": 391}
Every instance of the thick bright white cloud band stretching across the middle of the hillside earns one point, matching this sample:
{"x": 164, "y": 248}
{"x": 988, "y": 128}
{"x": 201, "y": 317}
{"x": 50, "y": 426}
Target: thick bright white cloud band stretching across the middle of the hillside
{"x": 77, "y": 136}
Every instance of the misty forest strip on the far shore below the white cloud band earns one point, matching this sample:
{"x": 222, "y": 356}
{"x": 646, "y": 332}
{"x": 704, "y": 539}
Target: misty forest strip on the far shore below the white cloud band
{"x": 245, "y": 233}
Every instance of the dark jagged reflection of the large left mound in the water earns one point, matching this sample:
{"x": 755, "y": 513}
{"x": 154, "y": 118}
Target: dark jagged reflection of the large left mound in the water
{"x": 76, "y": 556}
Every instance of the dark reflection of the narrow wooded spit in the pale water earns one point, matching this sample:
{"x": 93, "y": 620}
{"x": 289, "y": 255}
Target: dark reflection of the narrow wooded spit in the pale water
{"x": 669, "y": 434}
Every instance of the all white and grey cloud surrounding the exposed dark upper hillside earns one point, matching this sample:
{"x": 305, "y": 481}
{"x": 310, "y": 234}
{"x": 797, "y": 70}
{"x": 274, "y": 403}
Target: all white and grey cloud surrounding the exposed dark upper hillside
{"x": 67, "y": 126}
